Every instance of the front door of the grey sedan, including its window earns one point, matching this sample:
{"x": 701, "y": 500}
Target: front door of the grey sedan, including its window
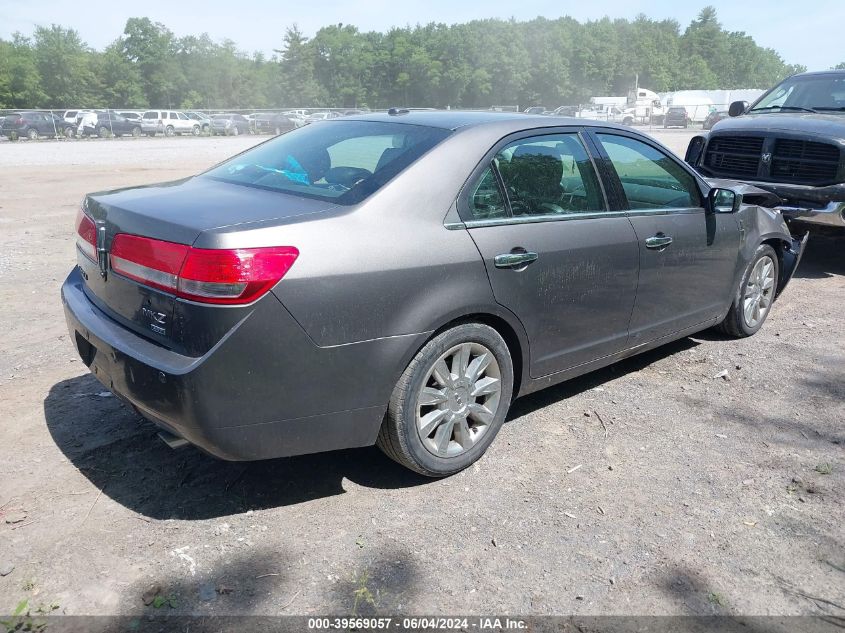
{"x": 687, "y": 255}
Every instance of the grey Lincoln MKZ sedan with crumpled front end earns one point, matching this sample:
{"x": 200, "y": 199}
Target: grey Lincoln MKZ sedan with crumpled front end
{"x": 400, "y": 278}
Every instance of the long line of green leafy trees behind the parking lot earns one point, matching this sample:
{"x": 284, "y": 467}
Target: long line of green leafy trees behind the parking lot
{"x": 476, "y": 64}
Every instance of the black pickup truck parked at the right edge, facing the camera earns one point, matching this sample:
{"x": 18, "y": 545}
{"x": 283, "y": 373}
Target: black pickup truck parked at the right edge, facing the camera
{"x": 791, "y": 142}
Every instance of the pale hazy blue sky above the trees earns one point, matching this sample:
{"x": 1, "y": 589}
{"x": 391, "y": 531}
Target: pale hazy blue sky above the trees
{"x": 808, "y": 34}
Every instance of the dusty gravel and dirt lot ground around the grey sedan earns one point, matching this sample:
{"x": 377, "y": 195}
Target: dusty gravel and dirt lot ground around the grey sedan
{"x": 654, "y": 486}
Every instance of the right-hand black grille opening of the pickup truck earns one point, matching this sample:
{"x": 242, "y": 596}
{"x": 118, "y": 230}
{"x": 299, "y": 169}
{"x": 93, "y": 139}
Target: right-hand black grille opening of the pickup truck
{"x": 804, "y": 162}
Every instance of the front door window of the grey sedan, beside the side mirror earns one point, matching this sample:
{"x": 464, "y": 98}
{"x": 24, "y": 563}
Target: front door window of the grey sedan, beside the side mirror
{"x": 650, "y": 178}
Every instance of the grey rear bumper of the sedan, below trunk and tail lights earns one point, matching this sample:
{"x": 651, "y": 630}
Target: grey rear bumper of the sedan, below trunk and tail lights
{"x": 265, "y": 390}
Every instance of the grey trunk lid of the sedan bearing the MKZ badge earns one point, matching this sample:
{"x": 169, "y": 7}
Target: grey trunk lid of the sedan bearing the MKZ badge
{"x": 175, "y": 212}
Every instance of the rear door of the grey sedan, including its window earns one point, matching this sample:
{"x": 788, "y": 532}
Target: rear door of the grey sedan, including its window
{"x": 555, "y": 256}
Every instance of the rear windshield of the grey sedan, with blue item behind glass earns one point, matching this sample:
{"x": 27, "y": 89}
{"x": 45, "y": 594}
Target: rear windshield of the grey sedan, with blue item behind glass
{"x": 341, "y": 161}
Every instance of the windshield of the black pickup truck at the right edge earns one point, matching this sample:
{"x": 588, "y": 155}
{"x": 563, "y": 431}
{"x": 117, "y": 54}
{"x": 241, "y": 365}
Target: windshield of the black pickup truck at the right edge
{"x": 822, "y": 93}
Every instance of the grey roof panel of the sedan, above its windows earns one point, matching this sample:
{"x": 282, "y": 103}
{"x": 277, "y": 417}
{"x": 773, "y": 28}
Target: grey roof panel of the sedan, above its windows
{"x": 455, "y": 119}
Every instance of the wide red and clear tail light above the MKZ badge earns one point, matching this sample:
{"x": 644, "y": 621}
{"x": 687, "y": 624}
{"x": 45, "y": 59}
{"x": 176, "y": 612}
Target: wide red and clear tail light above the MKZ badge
{"x": 222, "y": 276}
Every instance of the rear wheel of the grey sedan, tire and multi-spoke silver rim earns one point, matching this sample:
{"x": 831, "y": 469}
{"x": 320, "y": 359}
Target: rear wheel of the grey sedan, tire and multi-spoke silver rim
{"x": 450, "y": 402}
